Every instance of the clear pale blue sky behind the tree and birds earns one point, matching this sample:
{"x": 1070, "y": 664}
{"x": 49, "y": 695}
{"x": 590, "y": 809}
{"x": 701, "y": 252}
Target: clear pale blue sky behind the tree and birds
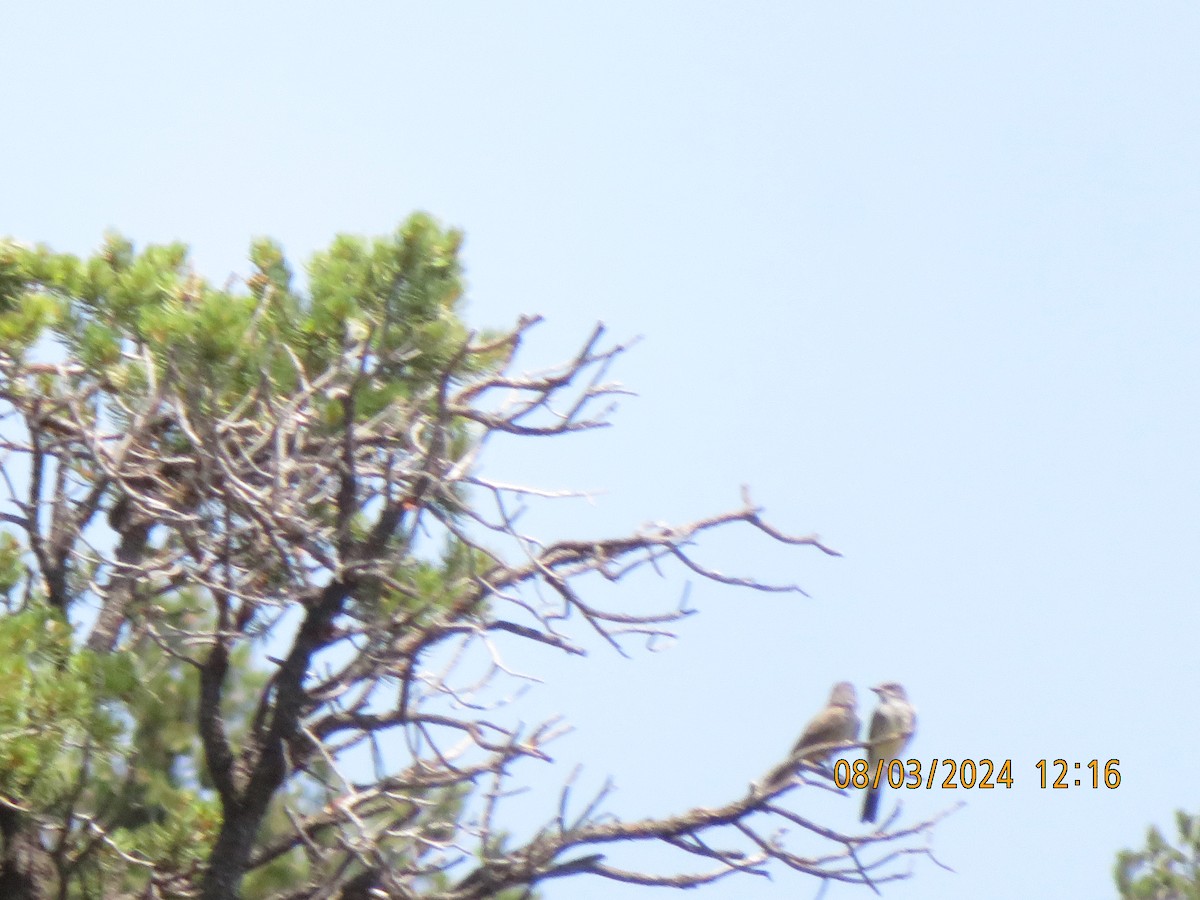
{"x": 923, "y": 275}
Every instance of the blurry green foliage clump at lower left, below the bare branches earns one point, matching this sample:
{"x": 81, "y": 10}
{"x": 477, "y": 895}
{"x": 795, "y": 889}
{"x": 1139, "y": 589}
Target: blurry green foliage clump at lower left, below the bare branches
{"x": 81, "y": 730}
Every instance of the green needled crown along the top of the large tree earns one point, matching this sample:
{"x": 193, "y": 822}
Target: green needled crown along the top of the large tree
{"x": 400, "y": 295}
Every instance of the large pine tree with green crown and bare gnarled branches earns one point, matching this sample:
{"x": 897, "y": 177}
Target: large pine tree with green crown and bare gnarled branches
{"x": 249, "y": 548}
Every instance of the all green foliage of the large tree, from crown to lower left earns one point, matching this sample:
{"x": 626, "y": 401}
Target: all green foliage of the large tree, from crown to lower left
{"x": 109, "y": 742}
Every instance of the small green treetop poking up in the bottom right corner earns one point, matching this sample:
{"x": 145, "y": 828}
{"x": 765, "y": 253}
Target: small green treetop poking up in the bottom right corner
{"x": 1163, "y": 872}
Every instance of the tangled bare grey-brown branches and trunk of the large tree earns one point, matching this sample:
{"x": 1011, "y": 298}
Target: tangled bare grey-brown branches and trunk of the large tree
{"x": 338, "y": 523}
